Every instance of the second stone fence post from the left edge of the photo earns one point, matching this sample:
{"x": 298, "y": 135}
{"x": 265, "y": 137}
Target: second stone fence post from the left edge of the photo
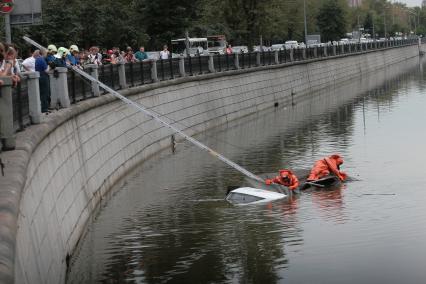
{"x": 34, "y": 96}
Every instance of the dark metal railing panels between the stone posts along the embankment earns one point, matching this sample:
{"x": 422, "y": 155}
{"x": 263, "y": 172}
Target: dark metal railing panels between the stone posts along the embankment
{"x": 140, "y": 73}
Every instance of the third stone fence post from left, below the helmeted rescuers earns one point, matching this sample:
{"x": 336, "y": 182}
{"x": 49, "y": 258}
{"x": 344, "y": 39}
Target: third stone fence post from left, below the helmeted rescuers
{"x": 59, "y": 88}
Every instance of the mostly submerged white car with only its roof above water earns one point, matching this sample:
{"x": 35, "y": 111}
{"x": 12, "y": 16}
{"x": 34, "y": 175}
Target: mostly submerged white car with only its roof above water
{"x": 250, "y": 195}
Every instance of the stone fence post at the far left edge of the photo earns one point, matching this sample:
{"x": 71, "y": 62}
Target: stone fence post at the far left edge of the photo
{"x": 7, "y": 132}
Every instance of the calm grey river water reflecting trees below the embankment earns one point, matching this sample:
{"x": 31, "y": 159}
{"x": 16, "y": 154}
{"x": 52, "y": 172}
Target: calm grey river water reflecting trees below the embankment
{"x": 168, "y": 222}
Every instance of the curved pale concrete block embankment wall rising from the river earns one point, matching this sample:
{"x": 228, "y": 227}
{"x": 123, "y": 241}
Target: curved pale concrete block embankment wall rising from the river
{"x": 66, "y": 165}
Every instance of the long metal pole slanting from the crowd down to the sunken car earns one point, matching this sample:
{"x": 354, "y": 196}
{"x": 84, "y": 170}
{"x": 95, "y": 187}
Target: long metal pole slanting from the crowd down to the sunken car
{"x": 156, "y": 117}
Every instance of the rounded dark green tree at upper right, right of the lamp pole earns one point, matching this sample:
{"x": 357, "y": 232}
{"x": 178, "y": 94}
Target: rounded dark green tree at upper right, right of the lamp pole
{"x": 332, "y": 20}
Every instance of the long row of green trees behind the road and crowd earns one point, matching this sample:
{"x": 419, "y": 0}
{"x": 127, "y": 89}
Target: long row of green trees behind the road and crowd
{"x": 122, "y": 23}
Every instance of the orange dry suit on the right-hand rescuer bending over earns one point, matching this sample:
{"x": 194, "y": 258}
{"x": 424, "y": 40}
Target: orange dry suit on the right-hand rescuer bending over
{"x": 327, "y": 166}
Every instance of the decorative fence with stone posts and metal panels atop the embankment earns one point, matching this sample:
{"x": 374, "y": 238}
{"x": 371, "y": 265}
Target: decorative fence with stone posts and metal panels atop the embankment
{"x": 20, "y": 105}
